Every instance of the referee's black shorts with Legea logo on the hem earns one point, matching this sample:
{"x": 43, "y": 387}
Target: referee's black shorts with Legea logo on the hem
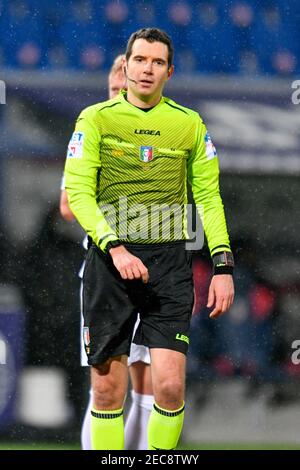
{"x": 111, "y": 304}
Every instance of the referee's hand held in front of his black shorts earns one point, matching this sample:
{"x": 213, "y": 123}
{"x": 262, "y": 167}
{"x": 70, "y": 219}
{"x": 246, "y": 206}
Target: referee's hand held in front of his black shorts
{"x": 129, "y": 266}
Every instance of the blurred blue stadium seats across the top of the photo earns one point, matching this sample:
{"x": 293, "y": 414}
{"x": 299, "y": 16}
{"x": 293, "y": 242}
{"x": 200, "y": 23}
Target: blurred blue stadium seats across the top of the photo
{"x": 210, "y": 36}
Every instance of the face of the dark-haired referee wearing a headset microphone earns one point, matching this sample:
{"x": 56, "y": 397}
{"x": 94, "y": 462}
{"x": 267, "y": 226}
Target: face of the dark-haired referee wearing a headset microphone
{"x": 147, "y": 69}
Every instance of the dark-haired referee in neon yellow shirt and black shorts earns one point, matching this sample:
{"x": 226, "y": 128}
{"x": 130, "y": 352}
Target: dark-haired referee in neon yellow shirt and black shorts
{"x": 126, "y": 170}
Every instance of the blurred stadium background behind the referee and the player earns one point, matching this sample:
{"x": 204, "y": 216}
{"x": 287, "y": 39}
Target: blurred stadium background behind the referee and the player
{"x": 236, "y": 61}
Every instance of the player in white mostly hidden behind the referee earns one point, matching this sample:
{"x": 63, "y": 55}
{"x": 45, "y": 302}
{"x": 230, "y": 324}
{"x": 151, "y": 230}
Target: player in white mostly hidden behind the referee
{"x": 139, "y": 360}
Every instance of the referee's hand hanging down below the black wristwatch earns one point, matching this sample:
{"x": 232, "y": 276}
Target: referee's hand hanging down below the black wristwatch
{"x": 220, "y": 294}
